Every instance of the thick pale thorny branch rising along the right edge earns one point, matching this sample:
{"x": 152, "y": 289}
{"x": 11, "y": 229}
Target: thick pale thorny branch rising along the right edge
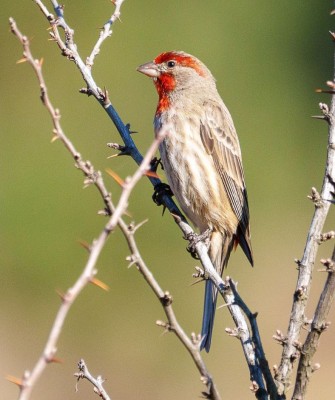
{"x": 322, "y": 202}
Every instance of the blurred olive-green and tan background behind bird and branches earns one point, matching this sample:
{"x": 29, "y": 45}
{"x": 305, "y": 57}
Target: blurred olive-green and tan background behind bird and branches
{"x": 268, "y": 57}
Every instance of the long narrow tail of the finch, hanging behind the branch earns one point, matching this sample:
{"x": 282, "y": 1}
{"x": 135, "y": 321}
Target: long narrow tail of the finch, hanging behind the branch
{"x": 220, "y": 249}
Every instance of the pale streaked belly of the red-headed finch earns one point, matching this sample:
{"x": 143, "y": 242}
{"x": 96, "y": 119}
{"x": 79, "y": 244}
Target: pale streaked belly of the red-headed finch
{"x": 196, "y": 185}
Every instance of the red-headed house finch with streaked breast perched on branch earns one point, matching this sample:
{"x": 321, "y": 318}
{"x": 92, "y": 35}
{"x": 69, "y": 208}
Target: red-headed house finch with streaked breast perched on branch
{"x": 202, "y": 161}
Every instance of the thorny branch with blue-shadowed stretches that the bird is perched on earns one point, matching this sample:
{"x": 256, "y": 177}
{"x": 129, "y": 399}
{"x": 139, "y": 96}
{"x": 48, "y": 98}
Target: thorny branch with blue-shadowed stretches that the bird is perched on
{"x": 69, "y": 49}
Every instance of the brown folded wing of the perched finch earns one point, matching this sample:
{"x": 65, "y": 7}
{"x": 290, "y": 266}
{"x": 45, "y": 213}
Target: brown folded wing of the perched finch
{"x": 219, "y": 137}
